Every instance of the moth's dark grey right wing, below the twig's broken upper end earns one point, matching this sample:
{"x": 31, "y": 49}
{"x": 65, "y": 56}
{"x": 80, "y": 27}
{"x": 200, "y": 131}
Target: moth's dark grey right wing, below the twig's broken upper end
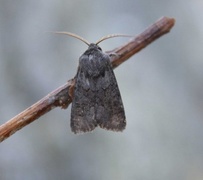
{"x": 110, "y": 113}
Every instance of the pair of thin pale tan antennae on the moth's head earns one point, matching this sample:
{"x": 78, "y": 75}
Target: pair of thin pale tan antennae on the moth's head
{"x": 89, "y": 44}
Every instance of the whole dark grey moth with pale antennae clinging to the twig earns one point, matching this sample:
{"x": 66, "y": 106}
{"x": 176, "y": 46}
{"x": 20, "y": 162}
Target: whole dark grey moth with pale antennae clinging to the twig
{"x": 96, "y": 100}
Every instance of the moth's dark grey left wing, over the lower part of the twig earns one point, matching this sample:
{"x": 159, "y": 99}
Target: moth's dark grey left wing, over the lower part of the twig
{"x": 83, "y": 107}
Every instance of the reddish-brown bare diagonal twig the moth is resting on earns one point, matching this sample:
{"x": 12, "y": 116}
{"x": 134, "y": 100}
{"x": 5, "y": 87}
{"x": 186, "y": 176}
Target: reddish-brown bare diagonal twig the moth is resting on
{"x": 62, "y": 96}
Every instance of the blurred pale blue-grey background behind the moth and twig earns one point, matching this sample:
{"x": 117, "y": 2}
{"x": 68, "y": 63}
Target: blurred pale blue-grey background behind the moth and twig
{"x": 161, "y": 88}
